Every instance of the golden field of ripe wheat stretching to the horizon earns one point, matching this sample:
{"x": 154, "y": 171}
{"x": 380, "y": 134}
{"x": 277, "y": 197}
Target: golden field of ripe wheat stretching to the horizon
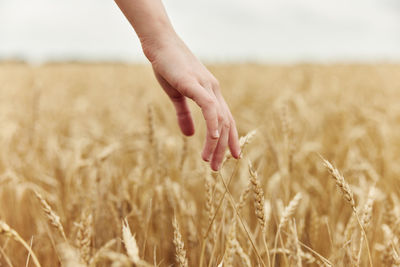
{"x": 94, "y": 170}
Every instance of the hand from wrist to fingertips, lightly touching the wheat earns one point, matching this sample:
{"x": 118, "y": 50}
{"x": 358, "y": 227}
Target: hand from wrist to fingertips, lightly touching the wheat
{"x": 182, "y": 76}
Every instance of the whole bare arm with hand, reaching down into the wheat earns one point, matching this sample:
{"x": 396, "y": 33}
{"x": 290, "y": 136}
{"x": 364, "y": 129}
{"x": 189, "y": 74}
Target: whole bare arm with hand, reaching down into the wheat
{"x": 183, "y": 76}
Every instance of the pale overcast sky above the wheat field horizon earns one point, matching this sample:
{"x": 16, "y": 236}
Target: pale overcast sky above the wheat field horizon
{"x": 216, "y": 30}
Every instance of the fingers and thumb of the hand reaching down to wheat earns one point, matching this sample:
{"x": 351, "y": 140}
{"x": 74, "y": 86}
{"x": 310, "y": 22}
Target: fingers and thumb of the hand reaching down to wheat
{"x": 221, "y": 128}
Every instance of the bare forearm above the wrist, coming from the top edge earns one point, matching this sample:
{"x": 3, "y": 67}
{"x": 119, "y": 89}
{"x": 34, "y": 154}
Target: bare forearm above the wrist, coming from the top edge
{"x": 149, "y": 20}
